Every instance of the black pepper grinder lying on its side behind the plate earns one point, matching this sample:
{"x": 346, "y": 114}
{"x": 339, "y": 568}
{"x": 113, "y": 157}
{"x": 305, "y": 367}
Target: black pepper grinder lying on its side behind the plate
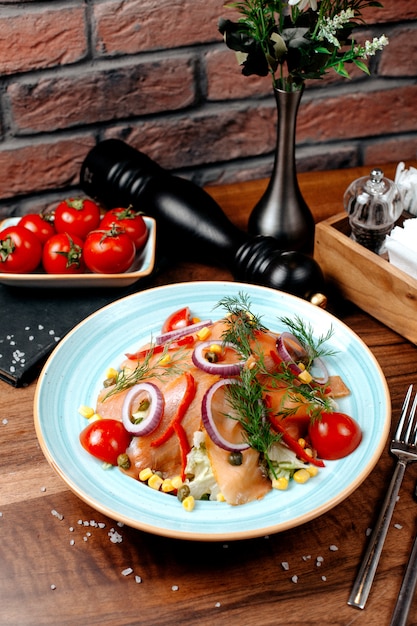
{"x": 191, "y": 225}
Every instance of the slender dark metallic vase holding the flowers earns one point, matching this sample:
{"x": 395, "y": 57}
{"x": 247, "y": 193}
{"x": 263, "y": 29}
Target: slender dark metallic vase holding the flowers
{"x": 282, "y": 211}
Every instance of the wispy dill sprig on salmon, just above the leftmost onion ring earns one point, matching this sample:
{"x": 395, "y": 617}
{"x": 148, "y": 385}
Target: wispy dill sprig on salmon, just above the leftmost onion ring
{"x": 145, "y": 369}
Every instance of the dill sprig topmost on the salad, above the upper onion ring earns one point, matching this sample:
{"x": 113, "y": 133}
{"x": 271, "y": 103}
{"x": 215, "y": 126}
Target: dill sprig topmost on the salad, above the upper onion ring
{"x": 242, "y": 324}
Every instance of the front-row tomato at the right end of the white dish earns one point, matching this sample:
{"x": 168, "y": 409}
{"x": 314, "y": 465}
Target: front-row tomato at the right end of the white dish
{"x": 109, "y": 251}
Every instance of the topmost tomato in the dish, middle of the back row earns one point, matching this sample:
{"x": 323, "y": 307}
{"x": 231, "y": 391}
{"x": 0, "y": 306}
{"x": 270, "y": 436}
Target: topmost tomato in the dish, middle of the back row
{"x": 77, "y": 216}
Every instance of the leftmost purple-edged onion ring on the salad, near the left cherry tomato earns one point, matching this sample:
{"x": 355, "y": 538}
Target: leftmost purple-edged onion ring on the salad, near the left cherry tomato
{"x": 155, "y": 412}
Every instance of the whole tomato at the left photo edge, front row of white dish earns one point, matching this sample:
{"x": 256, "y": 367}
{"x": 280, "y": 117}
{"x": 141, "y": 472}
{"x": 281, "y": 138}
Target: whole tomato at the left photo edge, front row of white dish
{"x": 20, "y": 250}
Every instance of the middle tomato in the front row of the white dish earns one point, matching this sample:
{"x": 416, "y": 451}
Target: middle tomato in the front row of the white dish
{"x": 62, "y": 254}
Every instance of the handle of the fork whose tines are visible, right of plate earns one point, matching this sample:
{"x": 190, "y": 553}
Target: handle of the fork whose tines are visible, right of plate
{"x": 363, "y": 583}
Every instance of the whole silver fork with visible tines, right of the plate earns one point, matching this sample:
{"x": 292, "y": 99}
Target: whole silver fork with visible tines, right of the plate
{"x": 404, "y": 447}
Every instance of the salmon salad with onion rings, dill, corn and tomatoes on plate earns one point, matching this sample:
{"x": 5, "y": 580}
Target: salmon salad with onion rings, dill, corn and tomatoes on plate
{"x": 222, "y": 409}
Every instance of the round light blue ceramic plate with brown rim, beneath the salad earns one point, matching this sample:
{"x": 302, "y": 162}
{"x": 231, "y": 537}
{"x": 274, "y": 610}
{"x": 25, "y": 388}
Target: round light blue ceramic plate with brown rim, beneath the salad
{"x": 73, "y": 375}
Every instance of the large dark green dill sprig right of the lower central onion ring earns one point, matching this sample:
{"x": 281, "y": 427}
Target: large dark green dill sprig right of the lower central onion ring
{"x": 246, "y": 402}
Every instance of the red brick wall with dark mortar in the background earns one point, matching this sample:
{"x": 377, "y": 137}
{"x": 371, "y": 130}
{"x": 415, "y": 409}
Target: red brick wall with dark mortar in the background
{"x": 157, "y": 74}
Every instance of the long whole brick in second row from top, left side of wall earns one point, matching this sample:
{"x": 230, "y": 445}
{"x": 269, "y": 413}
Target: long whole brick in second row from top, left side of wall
{"x": 91, "y": 97}
